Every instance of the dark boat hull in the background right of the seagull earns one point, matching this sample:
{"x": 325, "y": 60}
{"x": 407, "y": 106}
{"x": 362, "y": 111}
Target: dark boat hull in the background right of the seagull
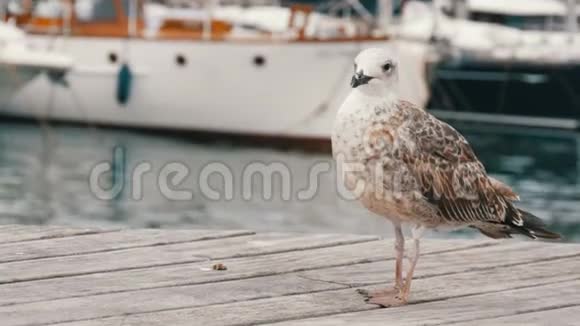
{"x": 508, "y": 93}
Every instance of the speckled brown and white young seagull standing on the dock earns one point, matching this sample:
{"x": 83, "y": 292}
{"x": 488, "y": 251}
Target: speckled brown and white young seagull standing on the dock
{"x": 404, "y": 164}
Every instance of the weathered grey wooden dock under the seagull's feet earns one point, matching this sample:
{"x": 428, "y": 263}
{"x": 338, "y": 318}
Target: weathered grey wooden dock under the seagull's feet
{"x": 88, "y": 277}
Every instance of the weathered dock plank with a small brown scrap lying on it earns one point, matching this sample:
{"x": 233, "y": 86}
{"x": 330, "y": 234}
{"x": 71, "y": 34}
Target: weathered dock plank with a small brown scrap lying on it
{"x": 196, "y": 273}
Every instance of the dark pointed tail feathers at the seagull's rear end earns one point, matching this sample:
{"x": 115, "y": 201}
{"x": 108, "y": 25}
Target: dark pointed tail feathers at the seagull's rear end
{"x": 527, "y": 224}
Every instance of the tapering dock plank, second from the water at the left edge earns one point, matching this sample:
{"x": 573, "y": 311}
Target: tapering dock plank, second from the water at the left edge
{"x": 94, "y": 243}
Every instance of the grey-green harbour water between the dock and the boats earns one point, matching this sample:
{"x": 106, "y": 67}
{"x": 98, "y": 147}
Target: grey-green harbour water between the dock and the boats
{"x": 44, "y": 179}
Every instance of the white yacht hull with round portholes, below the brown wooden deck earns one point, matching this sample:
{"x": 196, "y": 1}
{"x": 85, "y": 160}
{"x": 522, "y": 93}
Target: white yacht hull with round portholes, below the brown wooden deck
{"x": 261, "y": 88}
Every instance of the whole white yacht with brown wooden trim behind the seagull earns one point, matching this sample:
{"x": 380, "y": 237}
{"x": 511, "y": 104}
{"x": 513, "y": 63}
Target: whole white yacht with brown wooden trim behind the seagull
{"x": 259, "y": 70}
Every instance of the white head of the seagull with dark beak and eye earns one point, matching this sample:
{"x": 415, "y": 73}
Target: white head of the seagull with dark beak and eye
{"x": 375, "y": 69}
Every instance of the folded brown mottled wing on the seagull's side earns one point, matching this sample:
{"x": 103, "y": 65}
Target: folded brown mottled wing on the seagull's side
{"x": 449, "y": 174}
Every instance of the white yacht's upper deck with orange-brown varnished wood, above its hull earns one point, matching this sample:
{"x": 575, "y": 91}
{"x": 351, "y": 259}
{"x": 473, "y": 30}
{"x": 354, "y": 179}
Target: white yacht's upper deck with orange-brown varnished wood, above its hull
{"x": 210, "y": 21}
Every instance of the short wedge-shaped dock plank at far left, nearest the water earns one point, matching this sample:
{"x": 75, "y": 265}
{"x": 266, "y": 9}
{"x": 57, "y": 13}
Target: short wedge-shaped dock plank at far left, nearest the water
{"x": 20, "y": 233}
